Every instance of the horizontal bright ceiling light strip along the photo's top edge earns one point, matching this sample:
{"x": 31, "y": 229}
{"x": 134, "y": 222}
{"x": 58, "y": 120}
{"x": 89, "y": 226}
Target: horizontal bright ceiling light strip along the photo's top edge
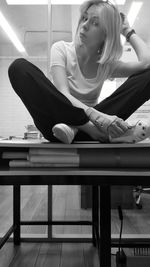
{"x": 54, "y": 2}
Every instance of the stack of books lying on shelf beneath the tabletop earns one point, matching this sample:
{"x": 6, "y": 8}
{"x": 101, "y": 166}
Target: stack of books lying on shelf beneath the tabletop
{"x": 41, "y": 157}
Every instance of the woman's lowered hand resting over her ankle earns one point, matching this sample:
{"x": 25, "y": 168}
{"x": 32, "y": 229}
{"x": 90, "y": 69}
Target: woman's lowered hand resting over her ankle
{"x": 111, "y": 125}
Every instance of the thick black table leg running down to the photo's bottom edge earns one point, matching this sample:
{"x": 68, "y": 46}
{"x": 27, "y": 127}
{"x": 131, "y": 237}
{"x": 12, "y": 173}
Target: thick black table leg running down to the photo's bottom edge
{"x": 105, "y": 226}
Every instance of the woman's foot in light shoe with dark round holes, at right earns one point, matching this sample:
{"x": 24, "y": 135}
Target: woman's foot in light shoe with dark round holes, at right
{"x": 138, "y": 132}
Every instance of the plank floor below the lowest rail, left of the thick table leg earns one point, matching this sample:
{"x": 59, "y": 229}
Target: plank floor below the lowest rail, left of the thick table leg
{"x": 49, "y": 255}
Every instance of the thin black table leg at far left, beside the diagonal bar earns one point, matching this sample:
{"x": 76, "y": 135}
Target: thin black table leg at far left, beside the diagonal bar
{"x": 16, "y": 213}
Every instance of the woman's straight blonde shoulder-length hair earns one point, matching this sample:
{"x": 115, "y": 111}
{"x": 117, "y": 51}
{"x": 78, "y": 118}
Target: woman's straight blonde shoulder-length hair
{"x": 110, "y": 19}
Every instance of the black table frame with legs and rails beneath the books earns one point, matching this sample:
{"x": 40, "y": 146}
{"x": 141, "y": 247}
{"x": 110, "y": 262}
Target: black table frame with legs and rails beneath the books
{"x": 99, "y": 178}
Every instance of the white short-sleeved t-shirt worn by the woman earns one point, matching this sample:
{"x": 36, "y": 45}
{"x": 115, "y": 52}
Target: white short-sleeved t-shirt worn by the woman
{"x": 86, "y": 90}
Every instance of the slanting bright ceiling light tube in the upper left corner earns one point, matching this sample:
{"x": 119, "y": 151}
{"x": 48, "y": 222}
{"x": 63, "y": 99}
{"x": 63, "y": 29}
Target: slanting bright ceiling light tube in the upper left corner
{"x": 11, "y": 34}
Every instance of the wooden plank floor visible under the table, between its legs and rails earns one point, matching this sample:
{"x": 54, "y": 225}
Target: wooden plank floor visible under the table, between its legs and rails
{"x": 66, "y": 205}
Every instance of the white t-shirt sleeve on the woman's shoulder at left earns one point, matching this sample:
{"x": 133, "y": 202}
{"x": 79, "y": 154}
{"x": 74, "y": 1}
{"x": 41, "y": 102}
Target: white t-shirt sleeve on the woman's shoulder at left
{"x": 58, "y": 55}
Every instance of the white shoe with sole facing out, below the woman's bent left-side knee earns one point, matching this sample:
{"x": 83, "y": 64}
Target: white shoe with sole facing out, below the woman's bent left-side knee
{"x": 64, "y": 133}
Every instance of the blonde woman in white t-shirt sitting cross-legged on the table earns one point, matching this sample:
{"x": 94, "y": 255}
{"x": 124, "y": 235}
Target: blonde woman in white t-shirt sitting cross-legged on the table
{"x": 66, "y": 108}
